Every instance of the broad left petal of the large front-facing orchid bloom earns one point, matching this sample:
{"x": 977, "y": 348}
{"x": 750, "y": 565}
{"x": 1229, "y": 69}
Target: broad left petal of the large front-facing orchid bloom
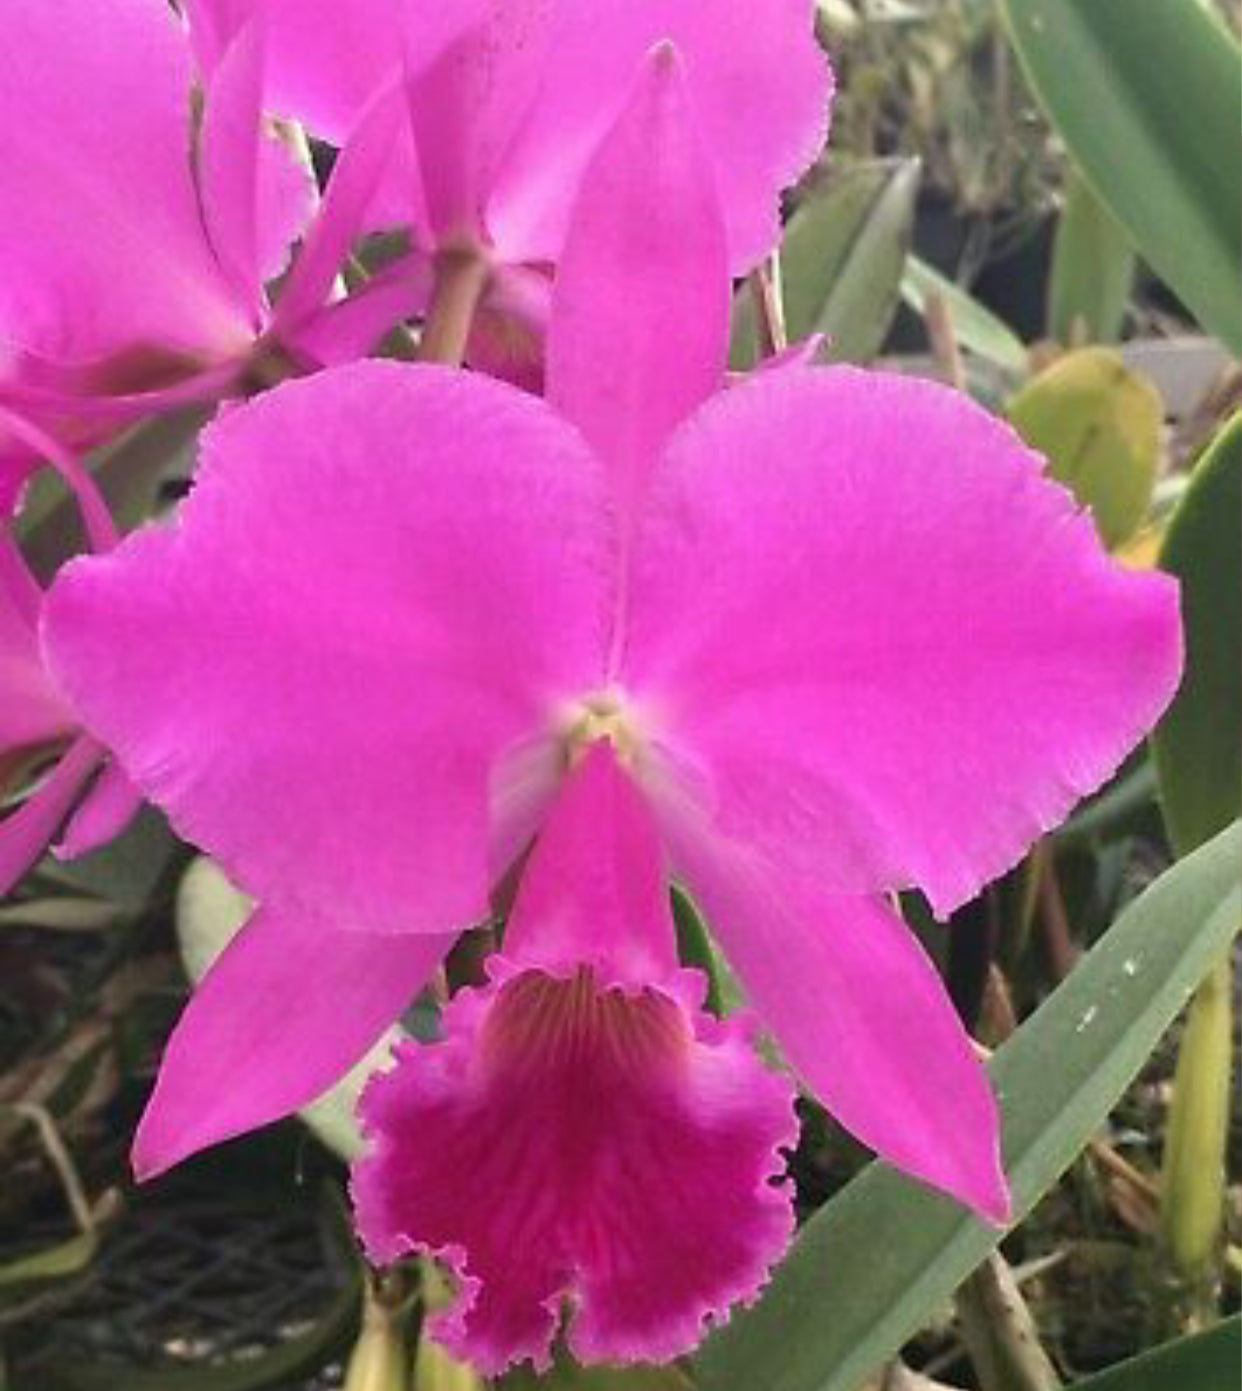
{"x": 321, "y": 705}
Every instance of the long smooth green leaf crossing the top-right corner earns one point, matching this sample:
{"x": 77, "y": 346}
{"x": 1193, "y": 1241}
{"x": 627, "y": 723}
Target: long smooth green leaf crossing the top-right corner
{"x": 1147, "y": 97}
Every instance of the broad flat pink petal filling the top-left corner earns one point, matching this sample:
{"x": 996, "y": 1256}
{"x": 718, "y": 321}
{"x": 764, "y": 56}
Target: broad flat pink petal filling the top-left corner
{"x": 90, "y": 147}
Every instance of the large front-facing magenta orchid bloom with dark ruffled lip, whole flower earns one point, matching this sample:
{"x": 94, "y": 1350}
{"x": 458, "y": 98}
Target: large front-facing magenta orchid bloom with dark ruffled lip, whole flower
{"x": 796, "y": 645}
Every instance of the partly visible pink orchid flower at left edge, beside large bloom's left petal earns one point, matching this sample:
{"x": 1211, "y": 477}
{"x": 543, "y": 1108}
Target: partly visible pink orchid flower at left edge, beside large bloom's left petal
{"x": 84, "y": 792}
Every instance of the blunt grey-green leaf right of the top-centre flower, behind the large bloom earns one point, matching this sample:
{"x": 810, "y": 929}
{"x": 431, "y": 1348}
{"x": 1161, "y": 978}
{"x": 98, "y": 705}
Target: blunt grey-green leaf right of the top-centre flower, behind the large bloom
{"x": 842, "y": 261}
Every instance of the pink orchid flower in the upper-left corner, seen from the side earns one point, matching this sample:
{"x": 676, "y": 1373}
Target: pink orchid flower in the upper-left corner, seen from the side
{"x": 137, "y": 236}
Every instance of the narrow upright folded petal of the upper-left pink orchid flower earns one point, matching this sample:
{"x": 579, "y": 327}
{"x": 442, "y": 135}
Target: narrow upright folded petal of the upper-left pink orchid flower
{"x": 255, "y": 197}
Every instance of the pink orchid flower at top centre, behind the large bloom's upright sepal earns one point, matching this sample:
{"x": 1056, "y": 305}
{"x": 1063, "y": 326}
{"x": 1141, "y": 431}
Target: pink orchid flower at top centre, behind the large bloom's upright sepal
{"x": 508, "y": 98}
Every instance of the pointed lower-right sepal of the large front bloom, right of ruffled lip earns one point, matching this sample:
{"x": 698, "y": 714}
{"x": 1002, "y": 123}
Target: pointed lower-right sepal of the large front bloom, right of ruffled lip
{"x": 860, "y": 1013}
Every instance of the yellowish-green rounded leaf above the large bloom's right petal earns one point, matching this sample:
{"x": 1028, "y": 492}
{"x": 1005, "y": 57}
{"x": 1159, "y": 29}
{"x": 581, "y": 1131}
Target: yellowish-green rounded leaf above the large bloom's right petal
{"x": 1099, "y": 425}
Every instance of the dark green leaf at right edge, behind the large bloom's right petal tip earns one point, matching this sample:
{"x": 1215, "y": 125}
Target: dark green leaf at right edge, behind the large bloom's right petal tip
{"x": 1198, "y": 743}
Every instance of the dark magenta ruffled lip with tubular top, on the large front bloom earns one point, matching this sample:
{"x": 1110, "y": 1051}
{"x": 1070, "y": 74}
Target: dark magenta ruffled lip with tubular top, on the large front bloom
{"x": 627, "y": 1141}
